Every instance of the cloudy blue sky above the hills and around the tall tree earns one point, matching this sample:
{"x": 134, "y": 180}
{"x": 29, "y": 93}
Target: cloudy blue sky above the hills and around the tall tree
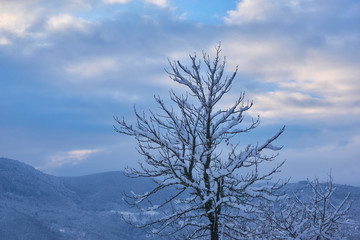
{"x": 67, "y": 67}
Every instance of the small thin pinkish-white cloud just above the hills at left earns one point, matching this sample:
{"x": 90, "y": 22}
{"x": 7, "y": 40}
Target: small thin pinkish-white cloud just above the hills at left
{"x": 73, "y": 157}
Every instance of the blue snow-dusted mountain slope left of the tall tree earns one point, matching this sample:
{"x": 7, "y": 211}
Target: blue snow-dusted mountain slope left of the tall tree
{"x": 35, "y": 205}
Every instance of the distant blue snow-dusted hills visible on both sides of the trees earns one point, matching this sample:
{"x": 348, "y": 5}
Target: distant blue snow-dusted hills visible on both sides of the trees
{"x": 38, "y": 206}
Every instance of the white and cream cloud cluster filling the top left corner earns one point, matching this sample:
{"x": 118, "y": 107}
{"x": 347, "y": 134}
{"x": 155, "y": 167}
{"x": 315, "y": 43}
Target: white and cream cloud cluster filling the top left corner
{"x": 31, "y": 22}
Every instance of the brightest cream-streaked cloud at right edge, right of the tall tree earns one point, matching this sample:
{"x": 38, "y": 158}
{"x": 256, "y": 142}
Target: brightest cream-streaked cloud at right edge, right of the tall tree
{"x": 315, "y": 87}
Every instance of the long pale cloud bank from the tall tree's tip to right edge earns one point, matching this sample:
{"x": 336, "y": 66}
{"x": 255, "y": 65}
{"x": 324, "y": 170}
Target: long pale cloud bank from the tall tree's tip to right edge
{"x": 312, "y": 84}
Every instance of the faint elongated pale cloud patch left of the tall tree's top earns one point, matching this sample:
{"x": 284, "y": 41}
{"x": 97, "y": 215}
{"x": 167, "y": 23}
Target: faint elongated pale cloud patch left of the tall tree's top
{"x": 93, "y": 68}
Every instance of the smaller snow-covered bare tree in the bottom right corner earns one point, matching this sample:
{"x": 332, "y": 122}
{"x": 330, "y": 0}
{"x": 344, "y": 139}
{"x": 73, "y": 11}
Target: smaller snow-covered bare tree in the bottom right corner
{"x": 318, "y": 218}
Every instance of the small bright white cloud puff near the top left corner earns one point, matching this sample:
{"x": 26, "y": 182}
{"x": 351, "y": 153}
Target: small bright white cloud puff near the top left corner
{"x": 65, "y": 22}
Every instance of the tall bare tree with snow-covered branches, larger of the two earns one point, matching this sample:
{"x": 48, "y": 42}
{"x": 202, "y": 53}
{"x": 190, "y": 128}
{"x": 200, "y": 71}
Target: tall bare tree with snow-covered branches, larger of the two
{"x": 215, "y": 195}
